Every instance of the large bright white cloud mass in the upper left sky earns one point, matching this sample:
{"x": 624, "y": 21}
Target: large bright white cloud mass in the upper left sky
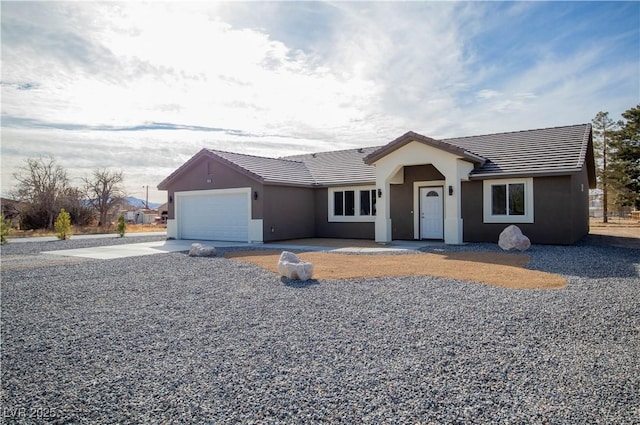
{"x": 181, "y": 66}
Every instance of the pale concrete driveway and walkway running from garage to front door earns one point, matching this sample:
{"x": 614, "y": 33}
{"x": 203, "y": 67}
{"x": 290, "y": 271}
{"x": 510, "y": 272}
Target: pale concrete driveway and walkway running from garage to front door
{"x": 161, "y": 247}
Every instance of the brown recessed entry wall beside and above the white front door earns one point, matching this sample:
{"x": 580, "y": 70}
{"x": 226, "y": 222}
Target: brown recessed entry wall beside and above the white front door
{"x": 402, "y": 199}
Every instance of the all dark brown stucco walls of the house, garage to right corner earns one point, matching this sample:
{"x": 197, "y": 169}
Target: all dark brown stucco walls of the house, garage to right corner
{"x": 560, "y": 215}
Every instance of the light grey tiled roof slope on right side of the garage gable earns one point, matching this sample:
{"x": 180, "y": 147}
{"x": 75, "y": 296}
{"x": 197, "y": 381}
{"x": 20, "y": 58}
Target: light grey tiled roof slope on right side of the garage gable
{"x": 269, "y": 170}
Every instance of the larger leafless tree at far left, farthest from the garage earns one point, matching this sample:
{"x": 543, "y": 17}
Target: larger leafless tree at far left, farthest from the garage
{"x": 41, "y": 183}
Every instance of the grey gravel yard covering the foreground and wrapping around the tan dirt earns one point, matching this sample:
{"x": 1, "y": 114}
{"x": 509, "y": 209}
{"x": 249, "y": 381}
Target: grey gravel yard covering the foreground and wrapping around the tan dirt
{"x": 173, "y": 339}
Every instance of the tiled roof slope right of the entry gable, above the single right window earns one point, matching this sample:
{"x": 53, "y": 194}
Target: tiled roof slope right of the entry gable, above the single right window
{"x": 544, "y": 151}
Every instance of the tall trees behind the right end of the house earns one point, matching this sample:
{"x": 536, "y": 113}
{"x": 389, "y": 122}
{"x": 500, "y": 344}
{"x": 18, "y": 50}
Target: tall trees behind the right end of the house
{"x": 617, "y": 154}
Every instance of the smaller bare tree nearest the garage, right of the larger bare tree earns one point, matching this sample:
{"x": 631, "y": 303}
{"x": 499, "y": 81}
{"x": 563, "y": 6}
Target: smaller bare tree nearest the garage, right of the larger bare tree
{"x": 105, "y": 191}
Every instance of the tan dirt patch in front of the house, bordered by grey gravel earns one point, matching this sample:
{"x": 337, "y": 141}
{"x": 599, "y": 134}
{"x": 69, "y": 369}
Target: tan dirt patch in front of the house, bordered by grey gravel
{"x": 498, "y": 269}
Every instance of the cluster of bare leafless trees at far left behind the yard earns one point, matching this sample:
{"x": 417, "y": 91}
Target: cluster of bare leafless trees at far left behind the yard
{"x": 45, "y": 189}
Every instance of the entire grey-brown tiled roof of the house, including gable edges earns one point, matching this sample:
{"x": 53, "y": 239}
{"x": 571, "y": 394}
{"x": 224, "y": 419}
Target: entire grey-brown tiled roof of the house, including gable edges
{"x": 533, "y": 152}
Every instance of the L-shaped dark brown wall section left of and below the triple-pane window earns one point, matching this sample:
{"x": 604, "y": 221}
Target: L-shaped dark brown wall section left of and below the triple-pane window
{"x": 326, "y": 229}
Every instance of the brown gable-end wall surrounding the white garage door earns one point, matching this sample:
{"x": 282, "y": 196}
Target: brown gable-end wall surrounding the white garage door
{"x": 221, "y": 176}
